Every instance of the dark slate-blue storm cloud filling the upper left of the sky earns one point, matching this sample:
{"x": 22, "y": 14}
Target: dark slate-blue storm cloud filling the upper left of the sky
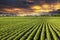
{"x": 15, "y": 3}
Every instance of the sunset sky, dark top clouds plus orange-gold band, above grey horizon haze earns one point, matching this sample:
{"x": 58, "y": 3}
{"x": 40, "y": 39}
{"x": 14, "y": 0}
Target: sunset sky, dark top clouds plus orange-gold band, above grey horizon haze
{"x": 28, "y": 6}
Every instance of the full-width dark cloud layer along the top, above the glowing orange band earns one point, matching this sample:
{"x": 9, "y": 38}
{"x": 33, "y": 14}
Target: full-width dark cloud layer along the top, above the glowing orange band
{"x": 24, "y": 3}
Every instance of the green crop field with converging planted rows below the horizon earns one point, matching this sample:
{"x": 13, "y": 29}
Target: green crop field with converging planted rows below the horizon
{"x": 29, "y": 28}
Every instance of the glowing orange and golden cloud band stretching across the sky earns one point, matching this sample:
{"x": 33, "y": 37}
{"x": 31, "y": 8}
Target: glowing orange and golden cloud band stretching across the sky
{"x": 34, "y": 9}
